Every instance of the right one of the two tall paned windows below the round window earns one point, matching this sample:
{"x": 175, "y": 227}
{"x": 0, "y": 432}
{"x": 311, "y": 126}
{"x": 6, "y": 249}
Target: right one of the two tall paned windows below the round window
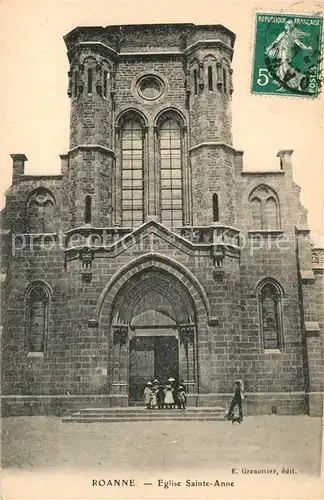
{"x": 171, "y": 174}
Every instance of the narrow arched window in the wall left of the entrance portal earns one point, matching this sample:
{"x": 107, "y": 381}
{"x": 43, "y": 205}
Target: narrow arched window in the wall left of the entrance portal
{"x": 37, "y": 305}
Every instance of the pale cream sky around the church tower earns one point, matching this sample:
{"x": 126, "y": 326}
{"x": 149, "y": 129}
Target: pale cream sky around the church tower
{"x": 35, "y": 106}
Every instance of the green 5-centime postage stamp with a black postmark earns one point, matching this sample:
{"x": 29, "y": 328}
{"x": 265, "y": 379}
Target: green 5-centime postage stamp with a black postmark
{"x": 287, "y": 55}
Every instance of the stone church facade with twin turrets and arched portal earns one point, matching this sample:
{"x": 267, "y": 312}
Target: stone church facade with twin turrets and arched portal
{"x": 153, "y": 253}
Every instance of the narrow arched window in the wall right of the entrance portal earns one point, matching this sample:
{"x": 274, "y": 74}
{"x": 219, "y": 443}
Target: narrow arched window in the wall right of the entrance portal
{"x": 270, "y": 312}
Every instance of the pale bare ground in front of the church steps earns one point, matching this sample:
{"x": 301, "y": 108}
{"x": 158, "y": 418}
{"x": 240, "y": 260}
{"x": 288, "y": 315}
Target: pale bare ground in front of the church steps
{"x": 45, "y": 443}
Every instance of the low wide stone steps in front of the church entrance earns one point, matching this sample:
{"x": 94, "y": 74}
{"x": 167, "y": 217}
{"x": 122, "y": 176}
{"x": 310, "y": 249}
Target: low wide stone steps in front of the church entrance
{"x": 141, "y": 414}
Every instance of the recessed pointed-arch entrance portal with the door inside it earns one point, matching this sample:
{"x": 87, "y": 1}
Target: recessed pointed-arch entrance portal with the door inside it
{"x": 153, "y": 334}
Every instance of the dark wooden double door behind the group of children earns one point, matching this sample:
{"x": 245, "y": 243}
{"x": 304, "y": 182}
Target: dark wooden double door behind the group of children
{"x": 151, "y": 357}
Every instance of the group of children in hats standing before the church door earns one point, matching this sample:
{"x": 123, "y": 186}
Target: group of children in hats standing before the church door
{"x": 170, "y": 396}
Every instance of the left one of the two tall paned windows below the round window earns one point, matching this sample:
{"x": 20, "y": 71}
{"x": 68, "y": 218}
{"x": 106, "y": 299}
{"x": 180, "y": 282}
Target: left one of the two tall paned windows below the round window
{"x": 132, "y": 174}
